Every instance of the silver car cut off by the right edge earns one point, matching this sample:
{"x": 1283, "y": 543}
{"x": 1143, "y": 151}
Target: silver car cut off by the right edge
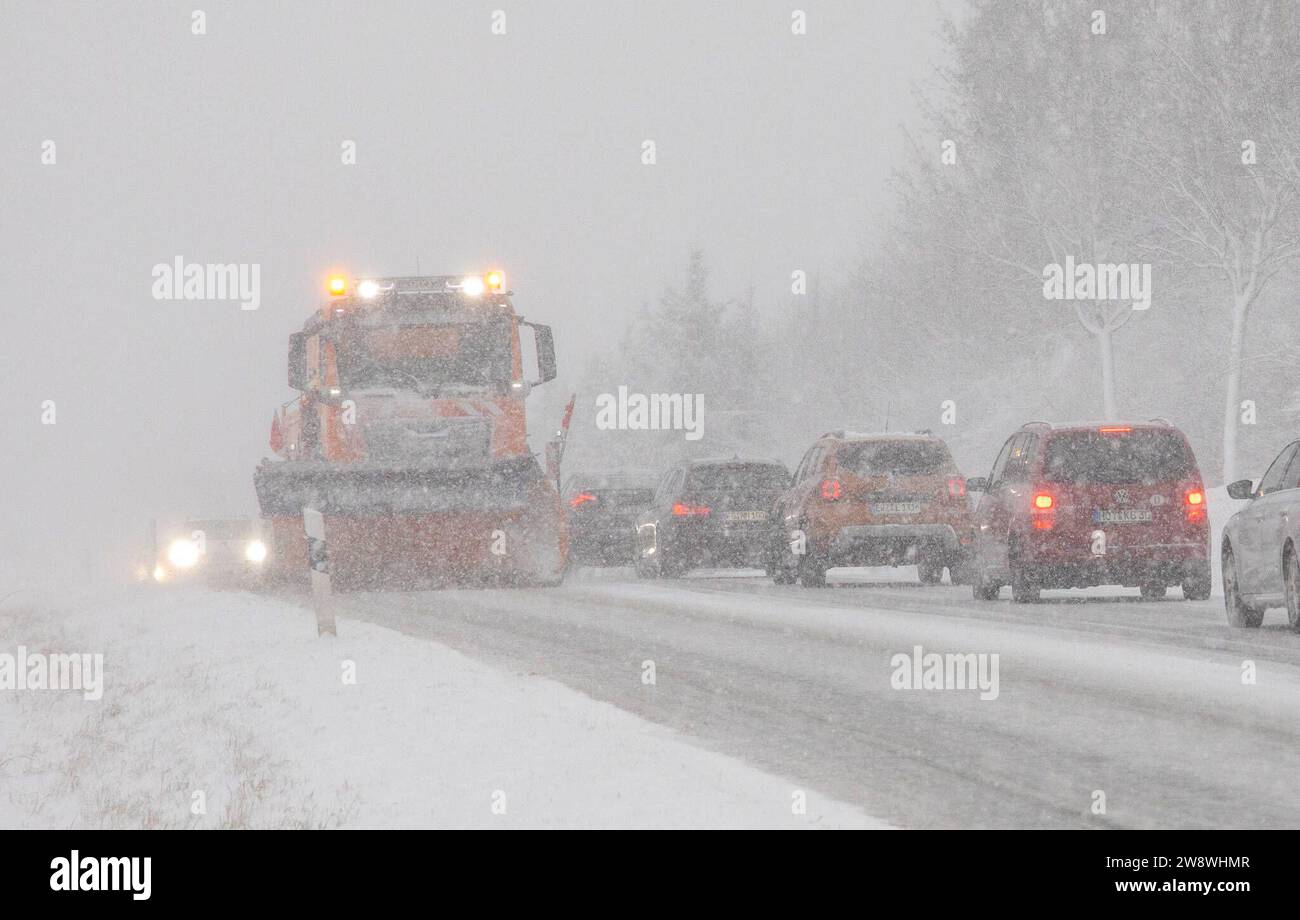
{"x": 1262, "y": 545}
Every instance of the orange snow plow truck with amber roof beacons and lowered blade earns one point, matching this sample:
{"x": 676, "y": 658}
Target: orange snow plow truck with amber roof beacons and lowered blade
{"x": 409, "y": 437}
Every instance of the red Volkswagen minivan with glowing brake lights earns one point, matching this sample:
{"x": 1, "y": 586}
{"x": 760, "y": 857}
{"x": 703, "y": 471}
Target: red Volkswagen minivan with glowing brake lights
{"x": 1078, "y": 506}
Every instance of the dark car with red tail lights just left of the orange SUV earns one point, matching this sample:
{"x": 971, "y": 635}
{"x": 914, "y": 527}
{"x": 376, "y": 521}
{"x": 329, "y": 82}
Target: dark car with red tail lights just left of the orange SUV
{"x": 710, "y": 514}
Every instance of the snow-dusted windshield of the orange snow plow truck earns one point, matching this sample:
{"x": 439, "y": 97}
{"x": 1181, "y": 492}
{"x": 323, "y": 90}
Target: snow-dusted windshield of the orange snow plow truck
{"x": 427, "y": 358}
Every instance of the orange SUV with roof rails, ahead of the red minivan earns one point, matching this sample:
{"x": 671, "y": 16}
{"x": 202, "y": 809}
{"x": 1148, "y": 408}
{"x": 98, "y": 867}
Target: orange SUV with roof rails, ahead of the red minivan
{"x": 873, "y": 500}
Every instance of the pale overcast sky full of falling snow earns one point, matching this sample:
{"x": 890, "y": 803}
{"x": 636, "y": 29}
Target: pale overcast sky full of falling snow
{"x": 519, "y": 151}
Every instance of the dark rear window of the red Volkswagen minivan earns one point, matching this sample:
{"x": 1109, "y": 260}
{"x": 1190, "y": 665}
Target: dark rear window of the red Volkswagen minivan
{"x": 1117, "y": 458}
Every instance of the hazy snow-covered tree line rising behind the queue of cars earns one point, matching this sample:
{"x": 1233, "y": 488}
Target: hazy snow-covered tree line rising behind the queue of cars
{"x": 1159, "y": 137}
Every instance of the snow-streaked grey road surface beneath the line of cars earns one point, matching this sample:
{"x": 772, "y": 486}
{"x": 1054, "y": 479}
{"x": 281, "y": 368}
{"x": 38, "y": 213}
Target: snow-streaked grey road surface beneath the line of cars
{"x": 1158, "y": 713}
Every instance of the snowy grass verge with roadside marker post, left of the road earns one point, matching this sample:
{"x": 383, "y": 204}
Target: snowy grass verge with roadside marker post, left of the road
{"x": 231, "y": 701}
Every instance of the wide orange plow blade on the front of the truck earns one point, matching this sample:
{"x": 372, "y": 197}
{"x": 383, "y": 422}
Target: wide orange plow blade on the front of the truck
{"x": 405, "y": 528}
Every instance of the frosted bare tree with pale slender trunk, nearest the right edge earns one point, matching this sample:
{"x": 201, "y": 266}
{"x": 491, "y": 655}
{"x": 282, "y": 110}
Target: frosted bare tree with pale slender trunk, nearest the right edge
{"x": 1221, "y": 160}
